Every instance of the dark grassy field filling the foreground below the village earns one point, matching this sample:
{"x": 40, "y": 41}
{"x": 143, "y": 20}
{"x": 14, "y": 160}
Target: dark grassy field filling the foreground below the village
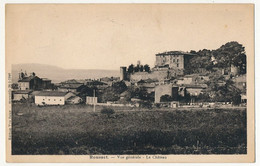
{"x": 76, "y": 129}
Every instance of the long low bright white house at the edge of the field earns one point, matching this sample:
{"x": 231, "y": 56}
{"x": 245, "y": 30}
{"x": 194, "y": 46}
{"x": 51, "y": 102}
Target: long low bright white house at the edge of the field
{"x": 52, "y": 97}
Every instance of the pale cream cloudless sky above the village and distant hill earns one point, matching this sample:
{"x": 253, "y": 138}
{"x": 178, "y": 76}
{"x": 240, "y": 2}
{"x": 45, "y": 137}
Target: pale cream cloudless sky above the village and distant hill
{"x": 96, "y": 36}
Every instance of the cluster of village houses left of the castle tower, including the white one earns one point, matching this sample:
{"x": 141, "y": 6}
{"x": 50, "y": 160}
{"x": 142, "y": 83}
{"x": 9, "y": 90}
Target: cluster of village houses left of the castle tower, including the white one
{"x": 42, "y": 92}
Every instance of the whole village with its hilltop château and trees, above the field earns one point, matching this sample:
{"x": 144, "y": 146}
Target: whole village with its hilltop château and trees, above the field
{"x": 207, "y": 78}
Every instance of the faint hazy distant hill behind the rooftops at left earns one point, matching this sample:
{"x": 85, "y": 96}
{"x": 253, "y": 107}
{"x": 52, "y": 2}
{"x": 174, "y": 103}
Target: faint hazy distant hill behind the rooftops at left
{"x": 57, "y": 74}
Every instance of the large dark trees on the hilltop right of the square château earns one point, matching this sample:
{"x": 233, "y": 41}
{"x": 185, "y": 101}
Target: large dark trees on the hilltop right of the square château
{"x": 231, "y": 53}
